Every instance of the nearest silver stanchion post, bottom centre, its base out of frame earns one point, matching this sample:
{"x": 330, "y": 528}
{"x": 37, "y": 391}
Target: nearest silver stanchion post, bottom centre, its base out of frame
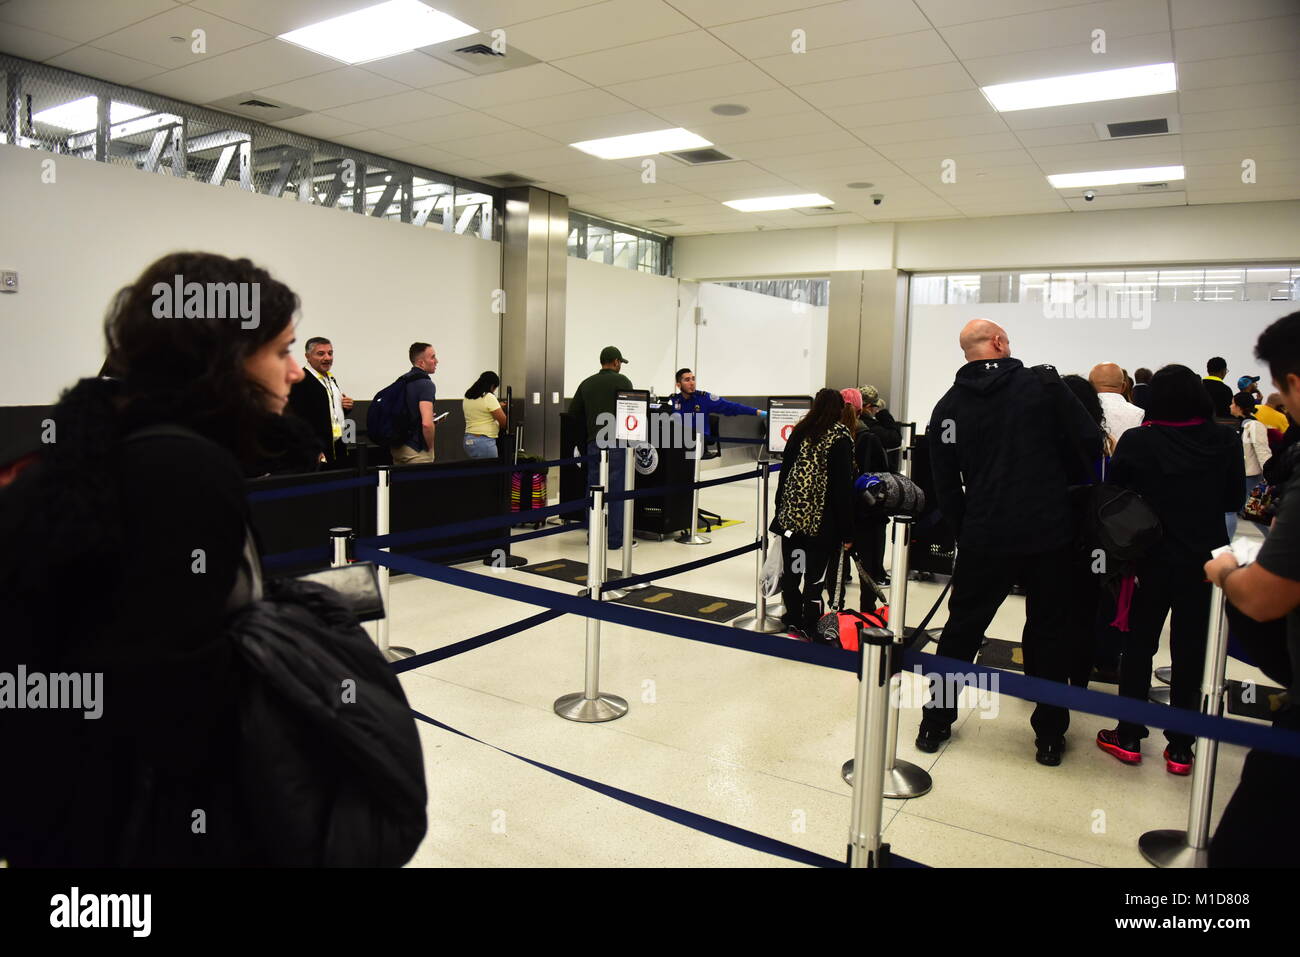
{"x": 877, "y": 648}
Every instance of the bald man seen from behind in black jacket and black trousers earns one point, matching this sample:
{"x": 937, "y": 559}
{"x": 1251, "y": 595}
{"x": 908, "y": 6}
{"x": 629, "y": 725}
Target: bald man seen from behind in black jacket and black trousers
{"x": 1011, "y": 436}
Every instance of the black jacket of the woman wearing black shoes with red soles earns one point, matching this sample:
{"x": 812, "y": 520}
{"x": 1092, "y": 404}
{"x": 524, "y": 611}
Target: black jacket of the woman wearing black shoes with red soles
{"x": 1190, "y": 477}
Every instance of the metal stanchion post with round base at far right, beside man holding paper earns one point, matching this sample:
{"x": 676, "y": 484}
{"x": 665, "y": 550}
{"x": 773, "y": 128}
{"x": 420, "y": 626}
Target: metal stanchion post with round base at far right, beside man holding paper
{"x": 1190, "y": 848}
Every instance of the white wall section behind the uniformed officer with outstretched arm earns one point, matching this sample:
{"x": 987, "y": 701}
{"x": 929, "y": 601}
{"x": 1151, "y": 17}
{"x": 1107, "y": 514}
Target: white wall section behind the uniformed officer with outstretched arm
{"x": 759, "y": 345}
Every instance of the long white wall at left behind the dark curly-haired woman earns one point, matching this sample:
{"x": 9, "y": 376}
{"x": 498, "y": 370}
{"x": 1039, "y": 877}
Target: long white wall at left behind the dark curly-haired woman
{"x": 370, "y": 285}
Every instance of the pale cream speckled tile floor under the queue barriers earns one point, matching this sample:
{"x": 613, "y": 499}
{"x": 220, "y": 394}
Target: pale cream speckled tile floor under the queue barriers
{"x": 746, "y": 739}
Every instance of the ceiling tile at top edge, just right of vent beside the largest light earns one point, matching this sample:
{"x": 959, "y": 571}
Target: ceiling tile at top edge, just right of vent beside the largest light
{"x": 599, "y": 28}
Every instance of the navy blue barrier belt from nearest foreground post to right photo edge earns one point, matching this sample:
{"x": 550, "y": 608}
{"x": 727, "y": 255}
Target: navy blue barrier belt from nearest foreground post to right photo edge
{"x": 1228, "y": 730}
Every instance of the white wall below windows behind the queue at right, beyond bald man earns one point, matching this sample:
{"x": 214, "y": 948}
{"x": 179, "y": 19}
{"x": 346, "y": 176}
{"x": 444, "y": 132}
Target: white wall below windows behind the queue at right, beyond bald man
{"x": 1188, "y": 334}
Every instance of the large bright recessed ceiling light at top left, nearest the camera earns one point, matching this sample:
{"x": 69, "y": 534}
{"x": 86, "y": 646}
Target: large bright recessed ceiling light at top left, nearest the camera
{"x": 397, "y": 27}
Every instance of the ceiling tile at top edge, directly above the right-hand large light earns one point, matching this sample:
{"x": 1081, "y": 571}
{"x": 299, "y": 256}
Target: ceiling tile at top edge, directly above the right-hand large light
{"x": 1050, "y": 28}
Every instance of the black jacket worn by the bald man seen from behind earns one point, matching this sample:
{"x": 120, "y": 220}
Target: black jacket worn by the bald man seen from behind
{"x": 1011, "y": 436}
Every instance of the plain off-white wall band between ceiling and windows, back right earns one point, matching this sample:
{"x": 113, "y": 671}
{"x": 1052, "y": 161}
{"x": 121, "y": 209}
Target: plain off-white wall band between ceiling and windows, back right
{"x": 1225, "y": 233}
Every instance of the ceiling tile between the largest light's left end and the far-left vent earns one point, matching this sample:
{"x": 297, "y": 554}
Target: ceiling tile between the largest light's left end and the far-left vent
{"x": 249, "y": 68}
